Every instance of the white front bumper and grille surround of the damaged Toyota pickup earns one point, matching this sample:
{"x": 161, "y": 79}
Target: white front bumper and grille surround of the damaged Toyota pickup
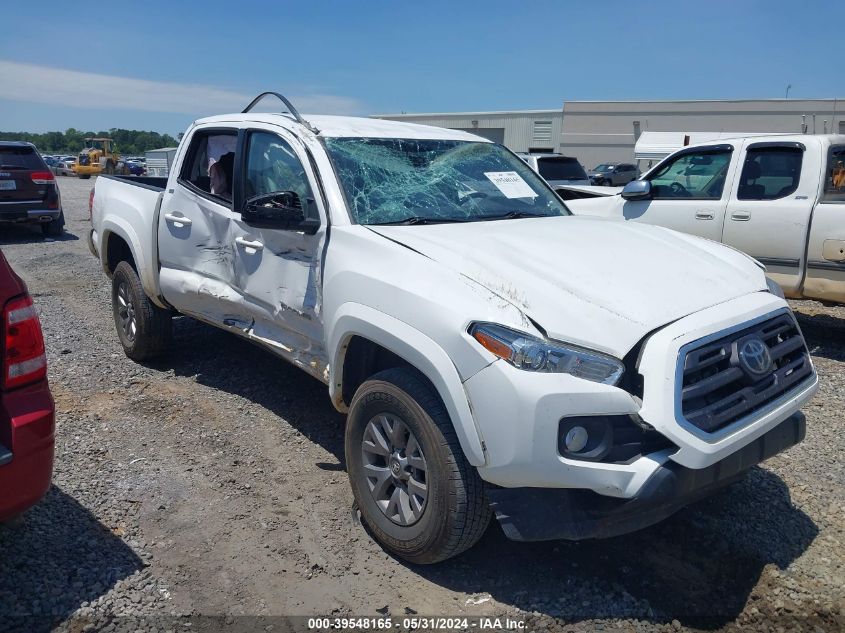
{"x": 518, "y": 413}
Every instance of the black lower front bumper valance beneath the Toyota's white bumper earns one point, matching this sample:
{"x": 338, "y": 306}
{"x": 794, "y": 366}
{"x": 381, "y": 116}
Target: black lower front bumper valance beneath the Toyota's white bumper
{"x": 540, "y": 514}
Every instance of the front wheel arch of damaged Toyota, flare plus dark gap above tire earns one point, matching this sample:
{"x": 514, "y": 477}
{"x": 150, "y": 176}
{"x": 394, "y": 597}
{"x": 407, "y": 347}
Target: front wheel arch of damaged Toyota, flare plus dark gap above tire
{"x": 364, "y": 341}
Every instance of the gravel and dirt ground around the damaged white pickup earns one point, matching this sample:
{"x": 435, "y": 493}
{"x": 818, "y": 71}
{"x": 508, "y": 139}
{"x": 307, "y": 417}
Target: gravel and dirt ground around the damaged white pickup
{"x": 211, "y": 483}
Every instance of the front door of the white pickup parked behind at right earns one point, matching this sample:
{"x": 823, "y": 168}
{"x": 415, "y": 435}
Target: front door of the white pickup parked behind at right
{"x": 689, "y": 192}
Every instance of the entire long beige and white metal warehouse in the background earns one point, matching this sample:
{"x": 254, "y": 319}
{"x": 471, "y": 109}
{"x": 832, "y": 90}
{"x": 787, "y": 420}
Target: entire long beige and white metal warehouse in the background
{"x": 607, "y": 131}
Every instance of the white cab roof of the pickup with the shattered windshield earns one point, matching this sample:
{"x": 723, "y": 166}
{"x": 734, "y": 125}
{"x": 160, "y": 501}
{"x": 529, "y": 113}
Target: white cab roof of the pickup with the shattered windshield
{"x": 349, "y": 127}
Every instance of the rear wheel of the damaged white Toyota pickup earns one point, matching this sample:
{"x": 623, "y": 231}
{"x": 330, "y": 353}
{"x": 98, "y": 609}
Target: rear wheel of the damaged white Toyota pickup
{"x": 144, "y": 329}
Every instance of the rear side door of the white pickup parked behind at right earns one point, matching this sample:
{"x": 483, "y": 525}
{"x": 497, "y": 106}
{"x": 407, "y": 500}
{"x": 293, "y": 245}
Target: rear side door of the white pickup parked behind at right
{"x": 770, "y": 206}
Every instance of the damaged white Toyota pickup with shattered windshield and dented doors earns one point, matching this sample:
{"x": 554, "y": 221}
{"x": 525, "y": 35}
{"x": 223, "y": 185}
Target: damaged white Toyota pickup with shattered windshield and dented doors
{"x": 490, "y": 351}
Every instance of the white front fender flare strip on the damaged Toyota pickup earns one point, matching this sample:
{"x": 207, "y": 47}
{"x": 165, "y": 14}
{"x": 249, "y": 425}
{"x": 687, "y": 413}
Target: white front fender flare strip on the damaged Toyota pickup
{"x": 419, "y": 351}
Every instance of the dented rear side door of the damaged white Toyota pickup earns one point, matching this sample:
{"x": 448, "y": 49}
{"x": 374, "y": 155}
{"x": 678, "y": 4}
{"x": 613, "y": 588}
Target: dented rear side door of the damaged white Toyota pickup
{"x": 196, "y": 245}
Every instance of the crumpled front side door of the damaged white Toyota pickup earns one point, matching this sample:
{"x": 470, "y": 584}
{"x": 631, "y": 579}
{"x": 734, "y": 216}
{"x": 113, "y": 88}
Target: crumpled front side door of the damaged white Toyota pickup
{"x": 277, "y": 269}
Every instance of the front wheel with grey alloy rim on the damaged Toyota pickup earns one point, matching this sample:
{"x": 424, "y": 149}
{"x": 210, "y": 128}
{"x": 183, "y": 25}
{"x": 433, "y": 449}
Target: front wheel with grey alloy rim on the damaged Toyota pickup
{"x": 454, "y": 513}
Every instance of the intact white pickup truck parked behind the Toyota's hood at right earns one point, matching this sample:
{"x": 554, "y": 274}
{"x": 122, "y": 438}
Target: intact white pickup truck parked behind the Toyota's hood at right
{"x": 780, "y": 198}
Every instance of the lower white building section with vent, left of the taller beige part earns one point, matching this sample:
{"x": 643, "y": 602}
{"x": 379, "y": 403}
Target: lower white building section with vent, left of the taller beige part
{"x": 520, "y": 130}
